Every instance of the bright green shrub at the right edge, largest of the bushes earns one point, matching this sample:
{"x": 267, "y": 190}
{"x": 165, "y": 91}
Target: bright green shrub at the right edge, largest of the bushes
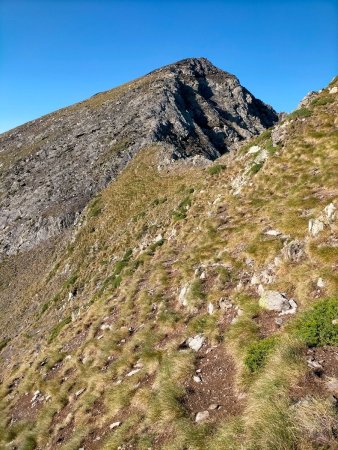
{"x": 315, "y": 327}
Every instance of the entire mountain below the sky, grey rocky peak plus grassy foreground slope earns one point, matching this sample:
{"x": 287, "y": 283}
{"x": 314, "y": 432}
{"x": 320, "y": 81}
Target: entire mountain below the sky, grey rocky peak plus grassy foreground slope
{"x": 168, "y": 274}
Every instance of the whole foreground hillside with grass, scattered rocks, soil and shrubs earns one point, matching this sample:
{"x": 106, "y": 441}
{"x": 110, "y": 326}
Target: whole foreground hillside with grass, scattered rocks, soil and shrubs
{"x": 193, "y": 307}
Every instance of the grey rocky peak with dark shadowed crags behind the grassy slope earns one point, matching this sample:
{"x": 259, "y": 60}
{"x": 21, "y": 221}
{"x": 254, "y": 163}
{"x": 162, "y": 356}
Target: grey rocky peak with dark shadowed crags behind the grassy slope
{"x": 51, "y": 167}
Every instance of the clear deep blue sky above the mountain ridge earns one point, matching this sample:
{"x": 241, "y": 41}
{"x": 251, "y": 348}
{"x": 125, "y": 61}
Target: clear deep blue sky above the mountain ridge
{"x": 56, "y": 52}
